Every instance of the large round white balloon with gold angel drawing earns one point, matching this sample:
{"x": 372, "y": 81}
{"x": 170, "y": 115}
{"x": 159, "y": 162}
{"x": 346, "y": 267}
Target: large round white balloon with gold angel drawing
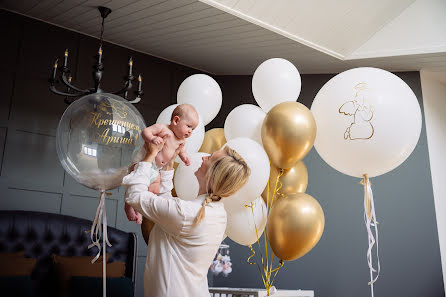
{"x": 368, "y": 121}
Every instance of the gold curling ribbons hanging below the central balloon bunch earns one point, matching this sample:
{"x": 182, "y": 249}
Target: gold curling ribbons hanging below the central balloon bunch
{"x": 269, "y": 274}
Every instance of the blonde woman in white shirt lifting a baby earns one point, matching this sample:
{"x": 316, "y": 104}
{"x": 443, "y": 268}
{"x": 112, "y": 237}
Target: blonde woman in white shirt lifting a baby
{"x": 187, "y": 234}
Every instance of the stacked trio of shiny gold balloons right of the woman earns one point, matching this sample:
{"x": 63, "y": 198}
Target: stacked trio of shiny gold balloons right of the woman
{"x": 295, "y": 219}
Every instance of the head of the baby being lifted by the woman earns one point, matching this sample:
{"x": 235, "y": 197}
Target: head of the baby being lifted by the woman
{"x": 184, "y": 120}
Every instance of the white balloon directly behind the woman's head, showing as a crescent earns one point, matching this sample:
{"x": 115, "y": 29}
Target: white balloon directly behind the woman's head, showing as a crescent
{"x": 258, "y": 162}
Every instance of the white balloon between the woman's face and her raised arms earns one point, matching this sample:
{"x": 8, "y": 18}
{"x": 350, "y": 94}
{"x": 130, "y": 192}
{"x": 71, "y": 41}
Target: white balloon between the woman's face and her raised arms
{"x": 185, "y": 181}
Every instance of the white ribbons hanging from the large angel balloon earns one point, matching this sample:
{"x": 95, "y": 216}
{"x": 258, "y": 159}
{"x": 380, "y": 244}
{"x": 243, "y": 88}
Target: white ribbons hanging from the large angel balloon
{"x": 370, "y": 223}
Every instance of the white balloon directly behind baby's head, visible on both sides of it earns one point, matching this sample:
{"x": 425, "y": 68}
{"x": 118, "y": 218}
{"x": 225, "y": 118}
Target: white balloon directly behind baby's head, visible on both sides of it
{"x": 194, "y": 142}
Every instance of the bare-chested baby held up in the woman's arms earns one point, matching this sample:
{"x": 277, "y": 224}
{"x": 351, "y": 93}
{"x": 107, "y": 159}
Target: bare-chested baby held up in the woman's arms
{"x": 183, "y": 121}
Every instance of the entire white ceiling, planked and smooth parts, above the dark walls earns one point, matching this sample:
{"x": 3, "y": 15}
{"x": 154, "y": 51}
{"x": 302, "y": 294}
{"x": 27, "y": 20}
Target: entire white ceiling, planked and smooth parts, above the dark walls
{"x": 227, "y": 37}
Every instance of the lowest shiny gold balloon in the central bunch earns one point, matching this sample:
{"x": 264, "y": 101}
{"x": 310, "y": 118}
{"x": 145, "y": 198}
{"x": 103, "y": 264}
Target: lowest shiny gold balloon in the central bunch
{"x": 295, "y": 225}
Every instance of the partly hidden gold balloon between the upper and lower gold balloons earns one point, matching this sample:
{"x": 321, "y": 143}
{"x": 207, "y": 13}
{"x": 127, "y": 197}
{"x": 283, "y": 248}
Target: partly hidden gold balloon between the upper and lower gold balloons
{"x": 293, "y": 180}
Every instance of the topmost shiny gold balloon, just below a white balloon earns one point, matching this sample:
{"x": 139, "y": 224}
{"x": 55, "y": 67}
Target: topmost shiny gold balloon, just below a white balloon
{"x": 288, "y": 133}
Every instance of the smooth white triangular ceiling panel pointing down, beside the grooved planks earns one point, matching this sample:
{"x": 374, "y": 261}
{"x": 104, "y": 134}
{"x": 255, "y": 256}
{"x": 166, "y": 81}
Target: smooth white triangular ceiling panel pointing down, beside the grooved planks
{"x": 334, "y": 27}
